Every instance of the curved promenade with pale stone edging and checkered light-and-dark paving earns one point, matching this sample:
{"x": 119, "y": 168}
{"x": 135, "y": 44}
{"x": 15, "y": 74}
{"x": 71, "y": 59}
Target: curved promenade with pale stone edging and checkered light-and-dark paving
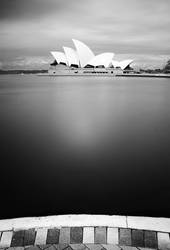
{"x": 85, "y": 232}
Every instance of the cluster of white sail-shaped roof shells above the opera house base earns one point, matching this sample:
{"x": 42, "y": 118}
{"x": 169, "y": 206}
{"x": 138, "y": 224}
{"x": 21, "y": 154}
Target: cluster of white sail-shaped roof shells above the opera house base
{"x": 84, "y": 58}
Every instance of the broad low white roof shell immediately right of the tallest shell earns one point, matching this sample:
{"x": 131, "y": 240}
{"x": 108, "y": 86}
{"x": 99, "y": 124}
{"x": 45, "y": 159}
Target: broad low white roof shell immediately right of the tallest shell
{"x": 104, "y": 59}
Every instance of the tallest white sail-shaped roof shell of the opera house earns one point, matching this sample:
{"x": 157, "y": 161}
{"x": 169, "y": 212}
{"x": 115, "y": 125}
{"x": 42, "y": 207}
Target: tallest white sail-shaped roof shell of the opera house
{"x": 84, "y": 52}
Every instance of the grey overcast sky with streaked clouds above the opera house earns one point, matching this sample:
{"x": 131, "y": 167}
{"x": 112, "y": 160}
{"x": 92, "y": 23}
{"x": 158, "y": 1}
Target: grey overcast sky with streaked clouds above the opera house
{"x": 29, "y": 29}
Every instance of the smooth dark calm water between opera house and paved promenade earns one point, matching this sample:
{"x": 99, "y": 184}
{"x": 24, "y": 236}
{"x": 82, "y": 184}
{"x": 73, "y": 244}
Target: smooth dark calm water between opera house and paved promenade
{"x": 84, "y": 145}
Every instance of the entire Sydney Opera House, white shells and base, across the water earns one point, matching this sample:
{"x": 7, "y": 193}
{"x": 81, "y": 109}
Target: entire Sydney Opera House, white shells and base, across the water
{"x": 82, "y": 60}
